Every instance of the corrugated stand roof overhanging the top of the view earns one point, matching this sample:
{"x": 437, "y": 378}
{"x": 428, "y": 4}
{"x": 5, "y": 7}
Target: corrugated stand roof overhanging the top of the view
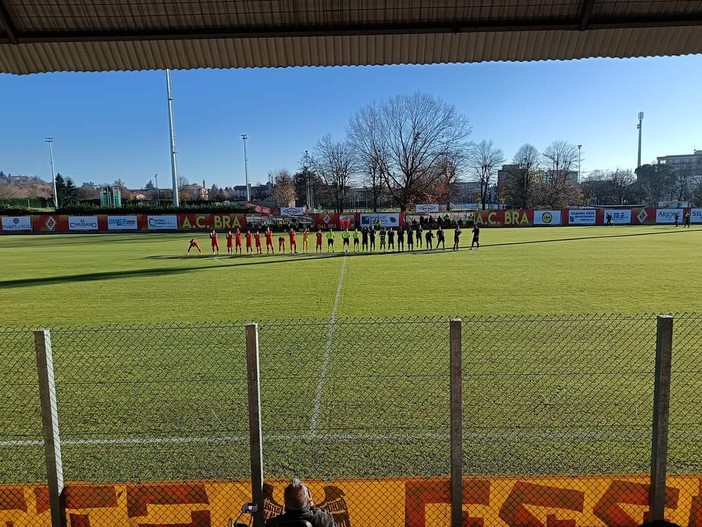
{"x": 96, "y": 35}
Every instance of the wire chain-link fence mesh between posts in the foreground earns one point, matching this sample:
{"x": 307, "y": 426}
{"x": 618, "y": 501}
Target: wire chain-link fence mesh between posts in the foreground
{"x": 557, "y": 414}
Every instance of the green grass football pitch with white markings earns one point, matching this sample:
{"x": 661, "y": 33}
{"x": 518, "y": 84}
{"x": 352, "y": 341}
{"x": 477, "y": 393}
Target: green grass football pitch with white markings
{"x": 160, "y": 391}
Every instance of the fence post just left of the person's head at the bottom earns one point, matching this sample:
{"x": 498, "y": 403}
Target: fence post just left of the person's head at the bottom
{"x": 255, "y": 434}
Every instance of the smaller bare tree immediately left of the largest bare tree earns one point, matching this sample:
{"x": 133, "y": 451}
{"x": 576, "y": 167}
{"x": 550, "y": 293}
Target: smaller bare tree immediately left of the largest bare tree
{"x": 334, "y": 162}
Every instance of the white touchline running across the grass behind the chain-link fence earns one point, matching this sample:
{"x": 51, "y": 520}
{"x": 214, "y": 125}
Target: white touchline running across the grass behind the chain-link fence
{"x": 471, "y": 436}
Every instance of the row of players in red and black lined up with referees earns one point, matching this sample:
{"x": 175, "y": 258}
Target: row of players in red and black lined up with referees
{"x": 363, "y": 240}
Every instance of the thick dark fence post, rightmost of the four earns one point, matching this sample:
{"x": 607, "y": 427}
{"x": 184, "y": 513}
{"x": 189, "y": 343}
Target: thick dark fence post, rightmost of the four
{"x": 661, "y": 407}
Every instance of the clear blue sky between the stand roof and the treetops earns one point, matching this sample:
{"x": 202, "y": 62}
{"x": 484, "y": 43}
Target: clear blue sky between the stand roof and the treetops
{"x": 115, "y": 125}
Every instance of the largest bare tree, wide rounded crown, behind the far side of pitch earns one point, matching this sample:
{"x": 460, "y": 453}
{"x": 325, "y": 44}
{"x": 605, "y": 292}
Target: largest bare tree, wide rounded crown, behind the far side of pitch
{"x": 407, "y": 138}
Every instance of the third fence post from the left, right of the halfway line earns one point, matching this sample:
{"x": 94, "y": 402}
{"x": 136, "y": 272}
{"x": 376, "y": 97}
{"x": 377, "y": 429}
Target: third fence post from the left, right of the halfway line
{"x": 456, "y": 425}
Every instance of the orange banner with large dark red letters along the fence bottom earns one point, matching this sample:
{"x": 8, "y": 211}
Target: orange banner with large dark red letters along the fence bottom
{"x": 399, "y": 502}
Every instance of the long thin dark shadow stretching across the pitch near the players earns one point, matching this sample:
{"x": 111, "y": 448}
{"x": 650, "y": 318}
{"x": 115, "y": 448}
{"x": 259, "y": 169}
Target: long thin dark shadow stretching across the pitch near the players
{"x": 264, "y": 259}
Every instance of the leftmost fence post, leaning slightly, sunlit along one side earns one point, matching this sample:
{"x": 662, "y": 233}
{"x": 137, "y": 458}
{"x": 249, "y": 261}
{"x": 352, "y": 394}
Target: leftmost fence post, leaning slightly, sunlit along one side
{"x": 49, "y": 418}
